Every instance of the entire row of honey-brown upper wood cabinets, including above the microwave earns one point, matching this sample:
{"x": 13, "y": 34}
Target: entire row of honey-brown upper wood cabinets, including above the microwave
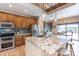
{"x": 19, "y": 21}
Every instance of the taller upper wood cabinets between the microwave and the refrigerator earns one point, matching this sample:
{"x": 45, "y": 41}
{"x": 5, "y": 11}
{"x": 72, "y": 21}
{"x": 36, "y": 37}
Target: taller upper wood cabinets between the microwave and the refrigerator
{"x": 24, "y": 22}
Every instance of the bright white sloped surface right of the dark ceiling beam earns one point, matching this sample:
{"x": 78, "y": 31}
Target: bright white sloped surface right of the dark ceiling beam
{"x": 66, "y": 12}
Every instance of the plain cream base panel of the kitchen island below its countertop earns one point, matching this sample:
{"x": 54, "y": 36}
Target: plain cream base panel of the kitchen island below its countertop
{"x": 32, "y": 50}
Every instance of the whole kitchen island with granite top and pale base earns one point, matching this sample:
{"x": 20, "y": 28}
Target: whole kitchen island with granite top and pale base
{"x": 43, "y": 46}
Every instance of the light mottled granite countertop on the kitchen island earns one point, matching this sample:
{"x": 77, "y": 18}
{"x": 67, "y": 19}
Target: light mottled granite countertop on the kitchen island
{"x": 50, "y": 45}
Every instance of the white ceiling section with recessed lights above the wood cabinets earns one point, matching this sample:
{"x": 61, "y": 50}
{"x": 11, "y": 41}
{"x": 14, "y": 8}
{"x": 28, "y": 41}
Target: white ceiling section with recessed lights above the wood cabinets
{"x": 19, "y": 9}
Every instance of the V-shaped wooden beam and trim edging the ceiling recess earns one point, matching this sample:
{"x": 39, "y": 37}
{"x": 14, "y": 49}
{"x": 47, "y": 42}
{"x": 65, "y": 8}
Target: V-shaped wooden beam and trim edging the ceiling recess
{"x": 54, "y": 8}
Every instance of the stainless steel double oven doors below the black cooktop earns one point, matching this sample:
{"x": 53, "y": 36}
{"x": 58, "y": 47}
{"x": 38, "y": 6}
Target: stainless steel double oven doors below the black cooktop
{"x": 6, "y": 43}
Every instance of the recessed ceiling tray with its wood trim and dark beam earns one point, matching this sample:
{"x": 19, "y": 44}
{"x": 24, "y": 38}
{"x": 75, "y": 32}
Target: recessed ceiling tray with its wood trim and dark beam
{"x": 49, "y": 6}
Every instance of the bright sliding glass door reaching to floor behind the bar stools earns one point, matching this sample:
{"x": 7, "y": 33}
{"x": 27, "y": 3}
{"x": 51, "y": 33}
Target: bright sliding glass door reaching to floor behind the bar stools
{"x": 74, "y": 28}
